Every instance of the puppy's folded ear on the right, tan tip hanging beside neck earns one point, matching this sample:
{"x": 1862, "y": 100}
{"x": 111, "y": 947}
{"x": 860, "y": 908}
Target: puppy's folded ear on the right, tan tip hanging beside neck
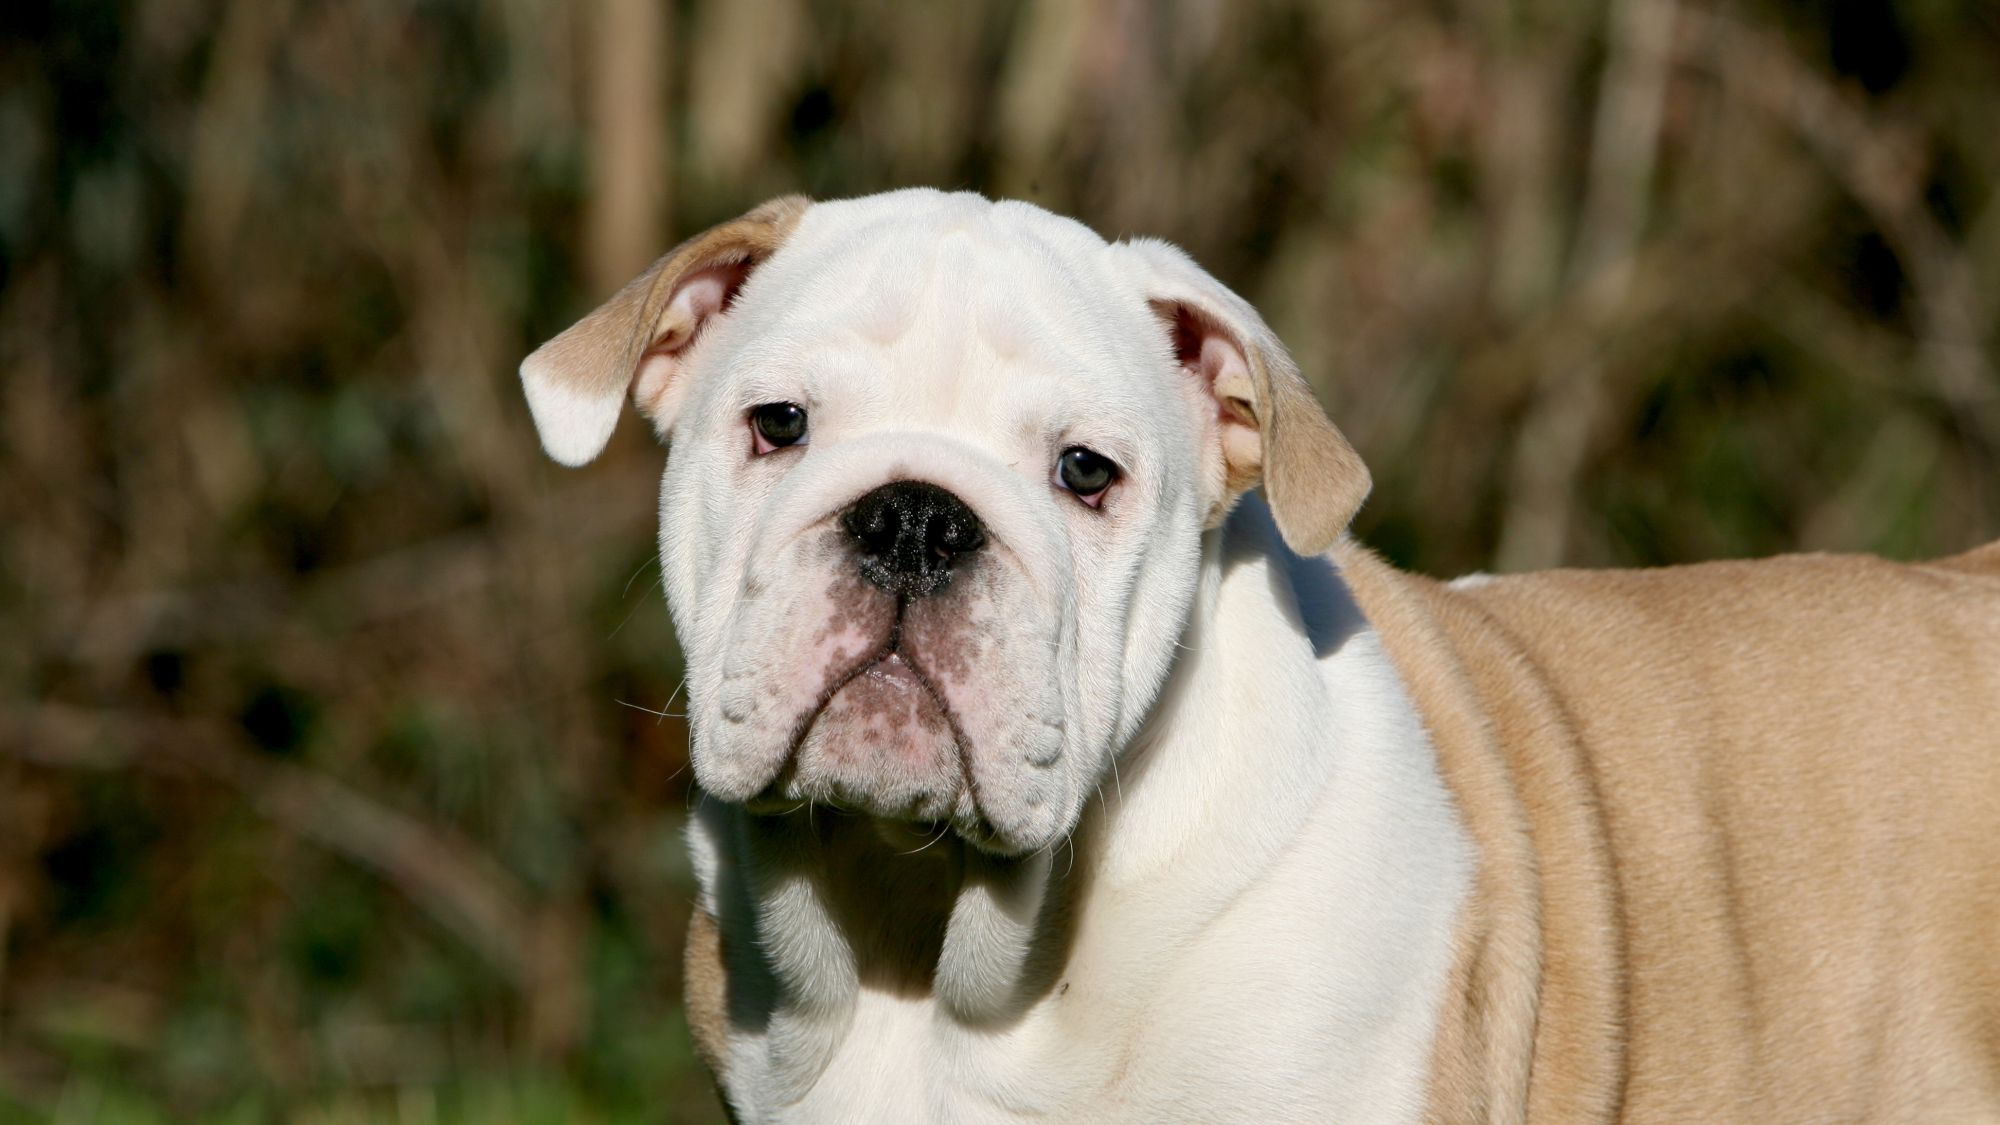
{"x": 1271, "y": 427}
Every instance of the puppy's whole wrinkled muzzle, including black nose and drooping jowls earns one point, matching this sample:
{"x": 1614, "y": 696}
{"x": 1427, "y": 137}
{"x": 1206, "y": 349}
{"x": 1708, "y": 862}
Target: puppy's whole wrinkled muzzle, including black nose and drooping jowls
{"x": 889, "y": 654}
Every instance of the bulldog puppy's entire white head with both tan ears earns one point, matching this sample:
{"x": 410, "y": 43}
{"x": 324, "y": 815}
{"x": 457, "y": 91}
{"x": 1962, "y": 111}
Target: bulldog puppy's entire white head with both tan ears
{"x": 939, "y": 475}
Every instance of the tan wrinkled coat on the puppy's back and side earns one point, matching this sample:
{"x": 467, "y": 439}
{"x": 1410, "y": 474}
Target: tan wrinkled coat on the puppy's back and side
{"x": 1739, "y": 828}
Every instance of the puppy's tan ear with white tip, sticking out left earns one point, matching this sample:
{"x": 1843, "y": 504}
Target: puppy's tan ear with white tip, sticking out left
{"x": 641, "y": 337}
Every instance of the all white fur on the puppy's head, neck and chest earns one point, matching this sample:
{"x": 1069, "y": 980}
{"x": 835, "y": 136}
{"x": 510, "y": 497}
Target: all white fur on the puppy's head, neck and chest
{"x": 1223, "y": 876}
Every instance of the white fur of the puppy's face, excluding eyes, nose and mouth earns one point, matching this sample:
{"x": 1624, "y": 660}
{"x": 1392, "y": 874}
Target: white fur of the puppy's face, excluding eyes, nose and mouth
{"x": 961, "y": 343}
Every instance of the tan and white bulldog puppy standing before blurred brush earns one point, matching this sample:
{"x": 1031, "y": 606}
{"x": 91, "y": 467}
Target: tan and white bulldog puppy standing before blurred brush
{"x": 1053, "y": 774}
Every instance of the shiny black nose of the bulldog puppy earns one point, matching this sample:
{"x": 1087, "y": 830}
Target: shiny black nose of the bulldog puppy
{"x": 911, "y": 533}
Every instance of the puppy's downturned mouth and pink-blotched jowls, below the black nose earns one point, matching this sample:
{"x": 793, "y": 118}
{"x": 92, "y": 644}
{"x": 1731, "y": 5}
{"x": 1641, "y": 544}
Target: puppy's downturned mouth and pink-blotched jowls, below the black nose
{"x": 909, "y": 710}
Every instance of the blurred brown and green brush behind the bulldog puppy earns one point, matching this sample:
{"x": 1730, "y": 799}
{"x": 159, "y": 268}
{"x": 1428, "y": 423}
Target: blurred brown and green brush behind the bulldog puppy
{"x": 341, "y": 774}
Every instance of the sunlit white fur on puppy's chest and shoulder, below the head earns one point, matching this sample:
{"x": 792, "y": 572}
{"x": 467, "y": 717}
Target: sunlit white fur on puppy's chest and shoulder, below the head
{"x": 1271, "y": 916}
